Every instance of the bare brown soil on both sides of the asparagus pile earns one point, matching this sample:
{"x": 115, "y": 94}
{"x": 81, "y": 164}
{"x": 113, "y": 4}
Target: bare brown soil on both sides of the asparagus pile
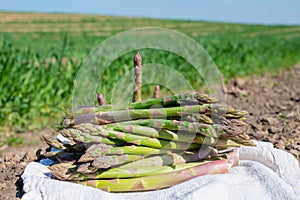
{"x": 273, "y": 102}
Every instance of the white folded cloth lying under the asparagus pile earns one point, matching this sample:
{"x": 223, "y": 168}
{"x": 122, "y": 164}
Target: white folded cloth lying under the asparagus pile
{"x": 263, "y": 173}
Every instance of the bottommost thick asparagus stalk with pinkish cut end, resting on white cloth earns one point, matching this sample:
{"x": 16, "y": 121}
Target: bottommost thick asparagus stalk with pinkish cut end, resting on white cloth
{"x": 155, "y": 182}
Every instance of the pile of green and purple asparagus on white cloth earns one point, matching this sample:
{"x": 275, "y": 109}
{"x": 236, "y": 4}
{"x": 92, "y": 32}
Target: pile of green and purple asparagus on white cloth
{"x": 148, "y": 145}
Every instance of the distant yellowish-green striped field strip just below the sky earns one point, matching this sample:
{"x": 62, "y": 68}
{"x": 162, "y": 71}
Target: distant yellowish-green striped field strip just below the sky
{"x": 107, "y": 25}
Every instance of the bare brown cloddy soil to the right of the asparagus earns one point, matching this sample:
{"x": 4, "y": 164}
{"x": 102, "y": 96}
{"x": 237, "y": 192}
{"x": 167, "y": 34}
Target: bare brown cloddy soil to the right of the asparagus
{"x": 273, "y": 102}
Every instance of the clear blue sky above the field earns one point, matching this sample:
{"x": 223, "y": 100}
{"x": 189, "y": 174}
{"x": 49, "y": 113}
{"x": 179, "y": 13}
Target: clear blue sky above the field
{"x": 254, "y": 11}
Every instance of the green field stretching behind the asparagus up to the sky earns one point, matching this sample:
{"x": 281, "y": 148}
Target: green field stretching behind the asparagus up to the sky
{"x": 40, "y": 55}
